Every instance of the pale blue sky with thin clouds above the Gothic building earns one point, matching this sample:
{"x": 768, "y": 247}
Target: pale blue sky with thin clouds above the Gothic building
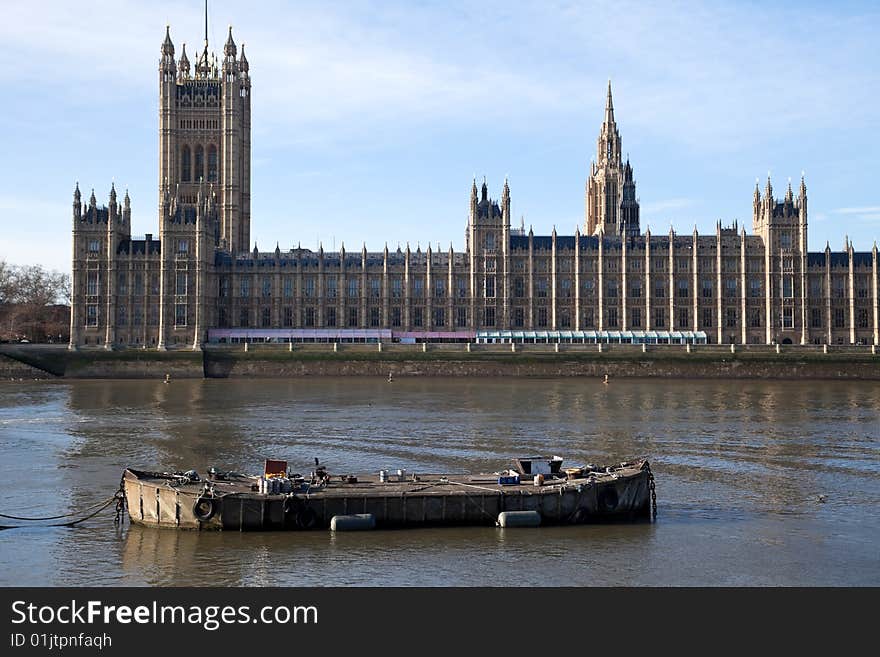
{"x": 371, "y": 118}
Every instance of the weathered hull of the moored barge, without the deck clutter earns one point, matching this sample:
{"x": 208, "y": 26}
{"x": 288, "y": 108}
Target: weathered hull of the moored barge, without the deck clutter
{"x": 156, "y": 500}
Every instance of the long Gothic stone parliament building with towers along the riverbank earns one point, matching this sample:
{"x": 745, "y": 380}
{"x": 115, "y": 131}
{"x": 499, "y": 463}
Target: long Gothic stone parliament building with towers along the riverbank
{"x": 198, "y": 280}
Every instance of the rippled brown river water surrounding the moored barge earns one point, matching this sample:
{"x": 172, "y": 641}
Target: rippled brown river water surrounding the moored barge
{"x": 740, "y": 469}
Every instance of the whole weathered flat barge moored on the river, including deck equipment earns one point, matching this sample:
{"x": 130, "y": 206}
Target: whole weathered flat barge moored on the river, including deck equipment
{"x": 536, "y": 491}
